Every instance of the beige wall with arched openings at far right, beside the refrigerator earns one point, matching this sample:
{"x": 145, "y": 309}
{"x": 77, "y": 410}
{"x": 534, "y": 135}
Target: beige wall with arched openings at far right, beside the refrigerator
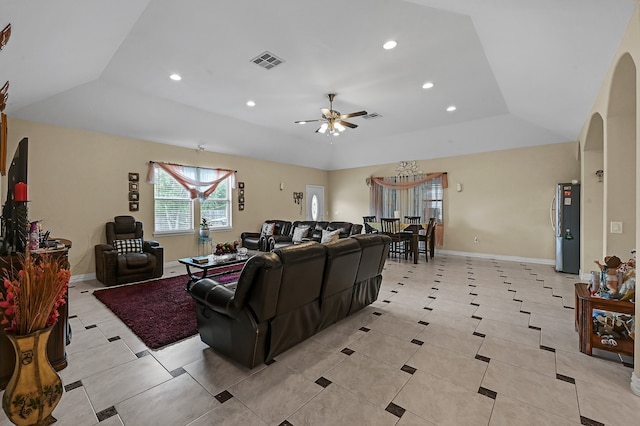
{"x": 617, "y": 103}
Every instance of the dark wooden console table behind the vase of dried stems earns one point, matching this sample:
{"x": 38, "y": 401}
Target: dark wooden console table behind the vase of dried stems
{"x": 59, "y": 338}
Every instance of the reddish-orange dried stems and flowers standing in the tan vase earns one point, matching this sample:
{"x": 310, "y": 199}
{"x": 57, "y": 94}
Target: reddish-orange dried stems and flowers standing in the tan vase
{"x": 29, "y": 300}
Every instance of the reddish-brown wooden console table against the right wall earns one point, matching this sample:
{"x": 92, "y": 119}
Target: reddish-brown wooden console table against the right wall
{"x": 585, "y": 305}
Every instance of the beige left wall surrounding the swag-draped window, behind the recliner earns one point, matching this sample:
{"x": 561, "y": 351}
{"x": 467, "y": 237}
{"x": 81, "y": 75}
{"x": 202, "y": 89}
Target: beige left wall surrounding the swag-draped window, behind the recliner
{"x": 78, "y": 180}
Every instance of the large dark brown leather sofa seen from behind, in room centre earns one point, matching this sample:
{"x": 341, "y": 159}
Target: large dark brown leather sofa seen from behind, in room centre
{"x": 285, "y": 296}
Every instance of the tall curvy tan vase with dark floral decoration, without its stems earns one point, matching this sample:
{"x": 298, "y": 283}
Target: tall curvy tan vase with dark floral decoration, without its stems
{"x": 35, "y": 388}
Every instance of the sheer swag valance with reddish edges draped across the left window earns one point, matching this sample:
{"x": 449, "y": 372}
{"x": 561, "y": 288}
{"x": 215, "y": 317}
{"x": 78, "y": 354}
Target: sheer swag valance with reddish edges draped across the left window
{"x": 200, "y": 182}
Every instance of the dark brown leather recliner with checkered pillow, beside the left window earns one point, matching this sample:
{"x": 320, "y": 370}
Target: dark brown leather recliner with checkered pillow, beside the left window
{"x": 126, "y": 257}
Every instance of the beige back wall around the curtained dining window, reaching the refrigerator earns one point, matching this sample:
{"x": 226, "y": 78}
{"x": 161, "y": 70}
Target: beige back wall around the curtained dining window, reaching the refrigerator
{"x": 505, "y": 199}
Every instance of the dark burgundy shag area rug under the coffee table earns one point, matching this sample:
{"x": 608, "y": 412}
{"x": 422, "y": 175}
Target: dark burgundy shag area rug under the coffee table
{"x": 160, "y": 312}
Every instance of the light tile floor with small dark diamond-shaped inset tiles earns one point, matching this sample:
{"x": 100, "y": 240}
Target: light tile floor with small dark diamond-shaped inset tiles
{"x": 455, "y": 341}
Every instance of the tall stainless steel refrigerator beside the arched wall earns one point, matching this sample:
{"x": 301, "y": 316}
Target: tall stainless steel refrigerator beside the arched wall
{"x": 566, "y": 225}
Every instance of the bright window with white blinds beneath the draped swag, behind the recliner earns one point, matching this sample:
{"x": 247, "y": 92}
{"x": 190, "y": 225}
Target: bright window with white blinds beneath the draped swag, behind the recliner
{"x": 174, "y": 208}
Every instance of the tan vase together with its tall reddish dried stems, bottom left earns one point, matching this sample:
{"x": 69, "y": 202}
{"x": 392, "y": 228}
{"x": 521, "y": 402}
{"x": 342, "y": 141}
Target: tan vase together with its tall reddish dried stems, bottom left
{"x": 29, "y": 302}
